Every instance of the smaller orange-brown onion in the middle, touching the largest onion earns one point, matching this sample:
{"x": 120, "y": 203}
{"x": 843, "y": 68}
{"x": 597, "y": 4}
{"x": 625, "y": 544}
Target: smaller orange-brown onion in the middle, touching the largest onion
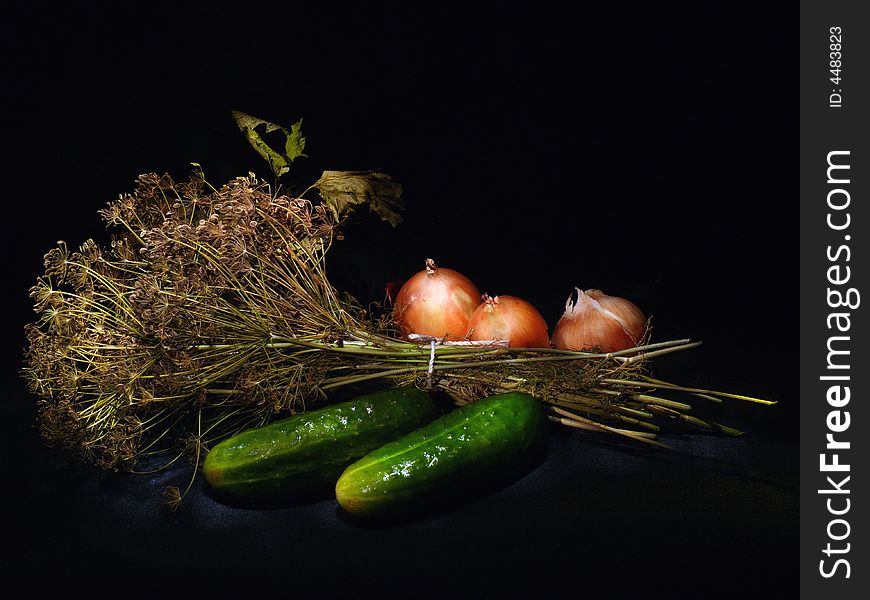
{"x": 509, "y": 318}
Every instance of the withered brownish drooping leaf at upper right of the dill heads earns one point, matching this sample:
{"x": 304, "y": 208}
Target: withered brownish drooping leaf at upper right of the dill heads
{"x": 343, "y": 191}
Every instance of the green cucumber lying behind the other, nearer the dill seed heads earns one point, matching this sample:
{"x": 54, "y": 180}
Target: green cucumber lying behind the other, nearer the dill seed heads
{"x": 301, "y": 454}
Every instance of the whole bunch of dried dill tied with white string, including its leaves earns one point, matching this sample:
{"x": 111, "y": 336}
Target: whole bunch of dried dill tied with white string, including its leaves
{"x": 211, "y": 311}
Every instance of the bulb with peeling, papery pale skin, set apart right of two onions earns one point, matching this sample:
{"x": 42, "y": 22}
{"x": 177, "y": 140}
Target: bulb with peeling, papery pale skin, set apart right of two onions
{"x": 596, "y": 320}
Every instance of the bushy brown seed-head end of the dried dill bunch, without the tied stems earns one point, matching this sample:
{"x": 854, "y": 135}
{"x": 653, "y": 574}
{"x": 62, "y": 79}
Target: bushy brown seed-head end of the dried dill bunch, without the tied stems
{"x": 184, "y": 319}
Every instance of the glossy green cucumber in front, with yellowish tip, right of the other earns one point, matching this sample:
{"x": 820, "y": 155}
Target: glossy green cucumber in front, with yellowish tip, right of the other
{"x": 468, "y": 444}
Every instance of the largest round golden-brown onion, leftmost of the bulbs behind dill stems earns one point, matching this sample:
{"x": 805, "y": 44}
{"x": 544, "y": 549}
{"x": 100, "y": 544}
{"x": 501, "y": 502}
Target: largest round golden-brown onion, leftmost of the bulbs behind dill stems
{"x": 437, "y": 302}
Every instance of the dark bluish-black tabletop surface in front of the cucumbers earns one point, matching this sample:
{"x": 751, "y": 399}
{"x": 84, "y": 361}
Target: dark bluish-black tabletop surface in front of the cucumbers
{"x": 715, "y": 517}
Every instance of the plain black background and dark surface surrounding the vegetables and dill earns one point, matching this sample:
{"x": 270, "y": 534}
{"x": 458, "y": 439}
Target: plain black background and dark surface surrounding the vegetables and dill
{"x": 643, "y": 150}
